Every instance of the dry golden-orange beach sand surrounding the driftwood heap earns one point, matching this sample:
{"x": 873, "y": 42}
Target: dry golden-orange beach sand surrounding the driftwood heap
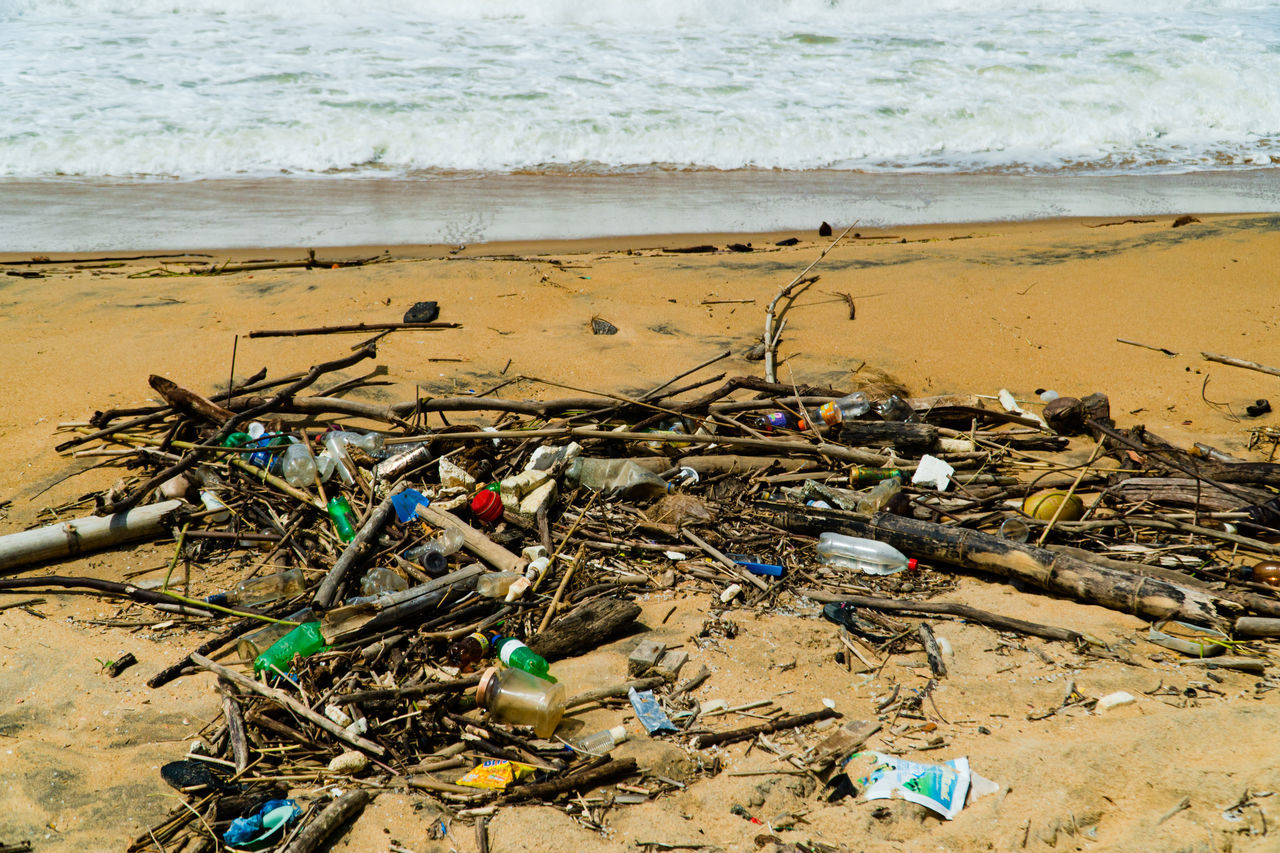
{"x": 938, "y": 309}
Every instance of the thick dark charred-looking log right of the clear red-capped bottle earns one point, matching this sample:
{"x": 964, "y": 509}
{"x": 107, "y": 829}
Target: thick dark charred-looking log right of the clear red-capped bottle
{"x": 1062, "y": 574}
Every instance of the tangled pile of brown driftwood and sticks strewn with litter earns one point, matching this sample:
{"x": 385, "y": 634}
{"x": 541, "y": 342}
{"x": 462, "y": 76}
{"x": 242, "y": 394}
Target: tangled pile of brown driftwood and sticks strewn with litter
{"x": 1160, "y": 532}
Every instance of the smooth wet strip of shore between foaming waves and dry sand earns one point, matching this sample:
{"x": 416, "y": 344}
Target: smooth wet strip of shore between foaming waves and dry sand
{"x": 99, "y": 216}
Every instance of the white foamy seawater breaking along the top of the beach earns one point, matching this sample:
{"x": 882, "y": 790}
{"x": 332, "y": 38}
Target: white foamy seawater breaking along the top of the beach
{"x": 108, "y": 94}
